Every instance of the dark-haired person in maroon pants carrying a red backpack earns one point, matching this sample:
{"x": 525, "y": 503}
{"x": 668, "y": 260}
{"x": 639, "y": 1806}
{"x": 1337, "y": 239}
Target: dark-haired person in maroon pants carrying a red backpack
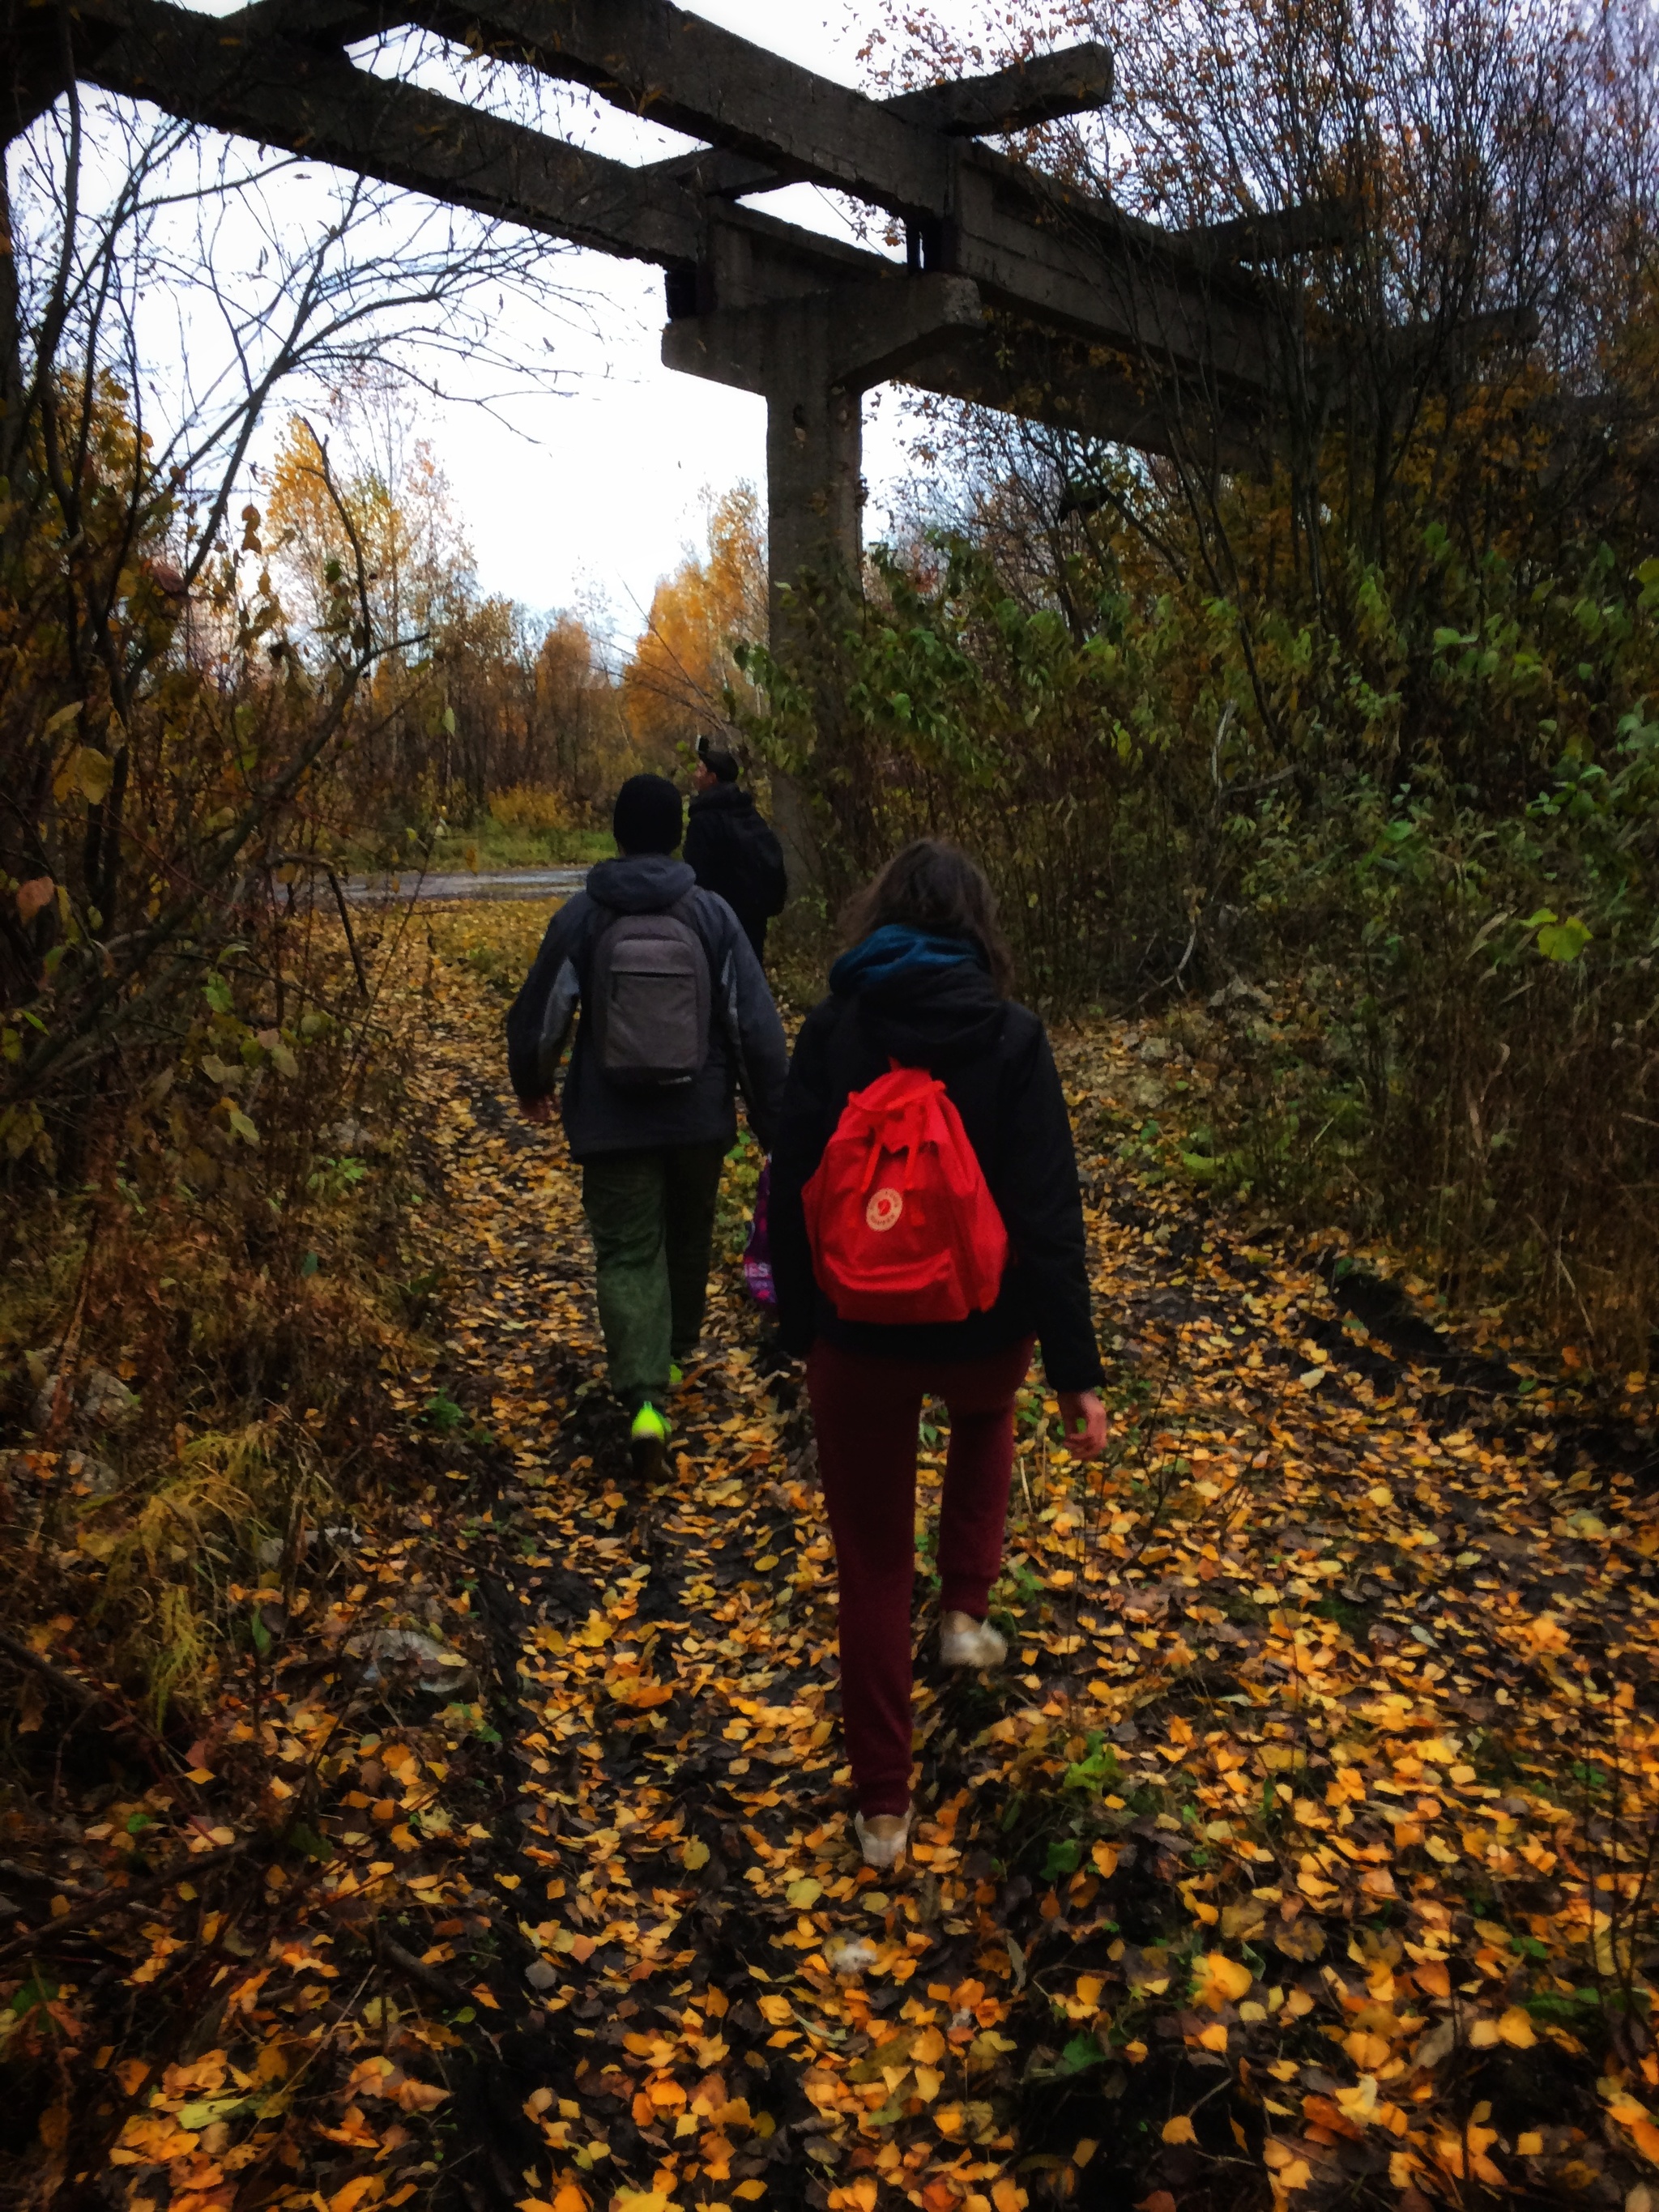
{"x": 926, "y": 1229}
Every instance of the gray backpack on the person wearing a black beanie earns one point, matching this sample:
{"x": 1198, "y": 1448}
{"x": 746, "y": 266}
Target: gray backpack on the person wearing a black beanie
{"x": 651, "y": 999}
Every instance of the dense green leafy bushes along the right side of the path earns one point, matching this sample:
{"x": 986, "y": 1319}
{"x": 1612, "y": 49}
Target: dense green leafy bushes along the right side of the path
{"x": 1397, "y": 870}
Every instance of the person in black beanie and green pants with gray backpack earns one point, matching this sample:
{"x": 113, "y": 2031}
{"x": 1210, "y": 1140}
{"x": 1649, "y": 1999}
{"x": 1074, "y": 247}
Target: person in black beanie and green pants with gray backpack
{"x": 674, "y": 1021}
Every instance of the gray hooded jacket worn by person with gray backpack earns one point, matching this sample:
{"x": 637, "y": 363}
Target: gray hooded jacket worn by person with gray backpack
{"x": 747, "y": 1045}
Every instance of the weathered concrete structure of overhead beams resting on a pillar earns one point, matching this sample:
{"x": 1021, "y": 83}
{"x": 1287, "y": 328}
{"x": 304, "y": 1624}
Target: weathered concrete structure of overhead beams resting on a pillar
{"x": 1016, "y": 291}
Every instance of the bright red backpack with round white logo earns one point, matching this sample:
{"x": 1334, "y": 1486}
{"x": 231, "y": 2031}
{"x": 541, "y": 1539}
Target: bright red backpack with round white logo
{"x": 899, "y": 1215}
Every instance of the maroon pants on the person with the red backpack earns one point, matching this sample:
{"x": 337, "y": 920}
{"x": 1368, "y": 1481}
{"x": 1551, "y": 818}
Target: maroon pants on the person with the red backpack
{"x": 866, "y": 1412}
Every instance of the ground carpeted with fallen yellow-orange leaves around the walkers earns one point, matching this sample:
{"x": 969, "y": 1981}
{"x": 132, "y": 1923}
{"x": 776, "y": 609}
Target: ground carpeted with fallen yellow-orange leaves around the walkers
{"x": 1302, "y": 1855}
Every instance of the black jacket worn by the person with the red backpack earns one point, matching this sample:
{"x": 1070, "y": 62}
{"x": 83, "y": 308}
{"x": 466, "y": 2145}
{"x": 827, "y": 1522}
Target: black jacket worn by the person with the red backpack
{"x": 999, "y": 1072}
